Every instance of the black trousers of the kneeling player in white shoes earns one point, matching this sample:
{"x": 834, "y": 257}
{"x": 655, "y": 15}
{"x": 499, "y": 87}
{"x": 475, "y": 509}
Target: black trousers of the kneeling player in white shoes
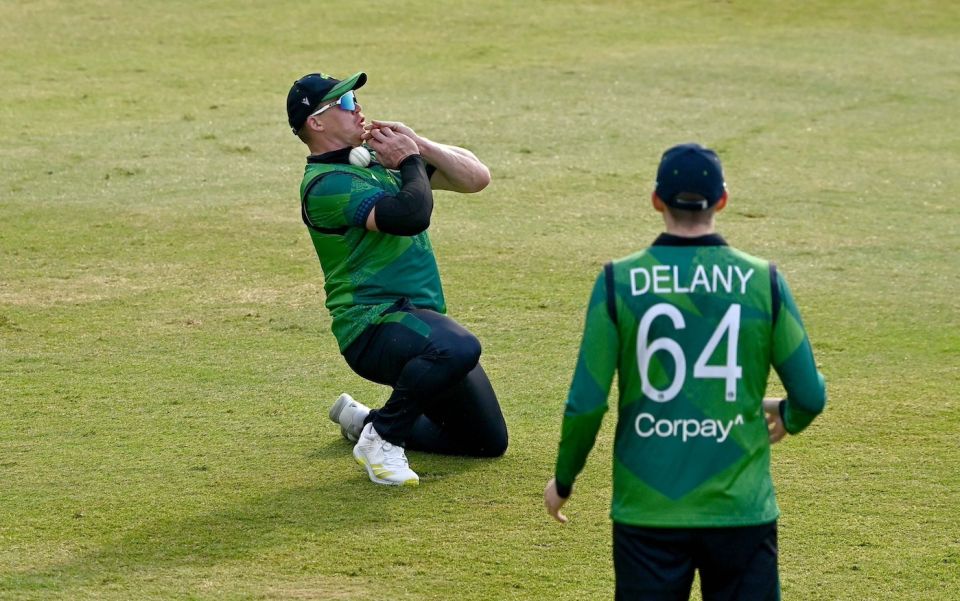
{"x": 442, "y": 401}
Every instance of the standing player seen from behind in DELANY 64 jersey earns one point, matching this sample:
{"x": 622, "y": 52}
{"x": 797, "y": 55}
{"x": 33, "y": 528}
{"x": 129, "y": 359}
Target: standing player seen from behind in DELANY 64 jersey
{"x": 692, "y": 327}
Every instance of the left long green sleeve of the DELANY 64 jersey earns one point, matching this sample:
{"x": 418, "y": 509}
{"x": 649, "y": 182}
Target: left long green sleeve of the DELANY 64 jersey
{"x": 589, "y": 390}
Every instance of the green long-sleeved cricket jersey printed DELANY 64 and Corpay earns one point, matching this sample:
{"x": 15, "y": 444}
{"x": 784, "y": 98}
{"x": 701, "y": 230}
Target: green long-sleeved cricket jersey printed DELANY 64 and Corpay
{"x": 692, "y": 327}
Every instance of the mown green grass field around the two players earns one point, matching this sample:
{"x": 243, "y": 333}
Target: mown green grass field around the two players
{"x": 166, "y": 362}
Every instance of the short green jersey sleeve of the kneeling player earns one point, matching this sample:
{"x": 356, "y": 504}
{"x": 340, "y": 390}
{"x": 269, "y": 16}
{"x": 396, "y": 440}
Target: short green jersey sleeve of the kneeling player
{"x": 341, "y": 200}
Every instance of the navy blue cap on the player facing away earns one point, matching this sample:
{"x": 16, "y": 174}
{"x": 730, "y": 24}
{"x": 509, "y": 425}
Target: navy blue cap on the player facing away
{"x": 690, "y": 169}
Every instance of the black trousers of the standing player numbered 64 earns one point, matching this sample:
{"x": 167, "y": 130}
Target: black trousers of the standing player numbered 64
{"x": 657, "y": 564}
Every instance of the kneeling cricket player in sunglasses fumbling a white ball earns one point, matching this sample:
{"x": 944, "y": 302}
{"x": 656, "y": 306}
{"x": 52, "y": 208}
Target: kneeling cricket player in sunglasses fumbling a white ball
{"x": 367, "y": 213}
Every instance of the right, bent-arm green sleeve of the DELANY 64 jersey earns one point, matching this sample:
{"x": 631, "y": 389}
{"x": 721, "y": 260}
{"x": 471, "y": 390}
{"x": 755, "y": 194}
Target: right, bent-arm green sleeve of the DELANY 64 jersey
{"x": 794, "y": 363}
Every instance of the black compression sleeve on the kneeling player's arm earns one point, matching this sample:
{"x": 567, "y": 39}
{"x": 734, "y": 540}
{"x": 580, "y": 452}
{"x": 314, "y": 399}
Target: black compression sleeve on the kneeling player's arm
{"x": 407, "y": 213}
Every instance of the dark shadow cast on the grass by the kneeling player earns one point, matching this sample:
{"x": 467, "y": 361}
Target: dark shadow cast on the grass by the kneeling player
{"x": 341, "y": 504}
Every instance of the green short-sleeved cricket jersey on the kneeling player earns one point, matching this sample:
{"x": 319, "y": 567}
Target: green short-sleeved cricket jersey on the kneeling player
{"x": 364, "y": 271}
